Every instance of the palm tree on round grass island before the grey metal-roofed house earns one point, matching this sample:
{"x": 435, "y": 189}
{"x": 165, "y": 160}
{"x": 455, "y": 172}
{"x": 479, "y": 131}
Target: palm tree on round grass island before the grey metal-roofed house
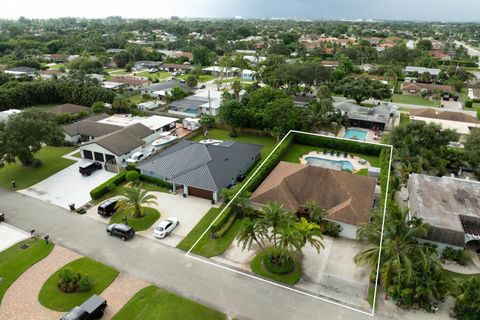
{"x": 134, "y": 199}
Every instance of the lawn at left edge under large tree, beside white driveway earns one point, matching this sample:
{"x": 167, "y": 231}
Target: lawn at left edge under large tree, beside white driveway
{"x": 52, "y": 162}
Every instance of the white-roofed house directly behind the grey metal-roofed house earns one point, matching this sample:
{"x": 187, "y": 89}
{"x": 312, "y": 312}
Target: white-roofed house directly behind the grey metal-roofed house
{"x": 202, "y": 103}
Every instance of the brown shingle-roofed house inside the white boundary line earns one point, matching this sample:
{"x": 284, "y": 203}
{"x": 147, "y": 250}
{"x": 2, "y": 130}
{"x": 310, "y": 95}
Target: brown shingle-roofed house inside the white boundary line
{"x": 347, "y": 198}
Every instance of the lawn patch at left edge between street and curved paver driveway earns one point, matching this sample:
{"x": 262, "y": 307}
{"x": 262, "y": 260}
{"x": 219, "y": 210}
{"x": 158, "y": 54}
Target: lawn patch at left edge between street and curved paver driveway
{"x": 14, "y": 261}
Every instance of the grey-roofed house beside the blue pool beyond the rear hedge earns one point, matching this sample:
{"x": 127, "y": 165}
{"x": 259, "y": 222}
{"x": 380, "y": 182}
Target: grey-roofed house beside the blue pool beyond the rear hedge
{"x": 381, "y": 117}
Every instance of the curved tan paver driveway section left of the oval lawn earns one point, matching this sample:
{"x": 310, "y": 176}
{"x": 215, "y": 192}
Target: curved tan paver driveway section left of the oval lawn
{"x": 21, "y": 299}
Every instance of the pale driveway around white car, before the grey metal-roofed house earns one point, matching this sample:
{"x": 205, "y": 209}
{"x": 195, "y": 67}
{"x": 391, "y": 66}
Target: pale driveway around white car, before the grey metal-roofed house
{"x": 188, "y": 210}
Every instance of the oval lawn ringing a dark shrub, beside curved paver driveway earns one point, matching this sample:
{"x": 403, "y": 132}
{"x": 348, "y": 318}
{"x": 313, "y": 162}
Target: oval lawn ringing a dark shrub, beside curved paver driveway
{"x": 100, "y": 275}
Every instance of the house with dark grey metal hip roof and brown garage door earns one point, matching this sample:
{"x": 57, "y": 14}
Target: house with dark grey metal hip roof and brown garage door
{"x": 202, "y": 170}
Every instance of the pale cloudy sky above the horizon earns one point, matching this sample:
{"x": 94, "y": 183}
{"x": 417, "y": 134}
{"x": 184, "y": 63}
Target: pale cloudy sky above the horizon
{"x": 425, "y": 10}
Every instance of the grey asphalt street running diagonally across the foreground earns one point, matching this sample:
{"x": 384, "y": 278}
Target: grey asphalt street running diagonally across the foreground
{"x": 167, "y": 267}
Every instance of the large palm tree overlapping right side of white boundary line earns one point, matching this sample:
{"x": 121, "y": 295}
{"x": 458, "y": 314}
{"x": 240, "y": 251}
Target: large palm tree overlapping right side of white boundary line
{"x": 400, "y": 247}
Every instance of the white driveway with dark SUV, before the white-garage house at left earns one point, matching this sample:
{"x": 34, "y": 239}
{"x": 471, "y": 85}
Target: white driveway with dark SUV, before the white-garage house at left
{"x": 67, "y": 186}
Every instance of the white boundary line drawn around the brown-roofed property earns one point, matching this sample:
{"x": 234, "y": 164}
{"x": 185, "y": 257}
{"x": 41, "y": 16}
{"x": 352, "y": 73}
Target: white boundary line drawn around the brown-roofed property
{"x": 208, "y": 261}
